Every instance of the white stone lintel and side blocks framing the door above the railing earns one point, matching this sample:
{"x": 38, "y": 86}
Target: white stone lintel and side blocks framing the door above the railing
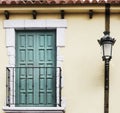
{"x": 12, "y": 25}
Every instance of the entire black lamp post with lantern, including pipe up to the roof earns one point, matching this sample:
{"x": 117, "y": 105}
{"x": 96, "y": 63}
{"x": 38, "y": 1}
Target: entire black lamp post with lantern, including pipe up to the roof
{"x": 106, "y": 42}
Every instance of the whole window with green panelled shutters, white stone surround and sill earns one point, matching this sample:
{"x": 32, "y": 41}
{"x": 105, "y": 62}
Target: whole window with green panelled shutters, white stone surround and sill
{"x": 33, "y": 47}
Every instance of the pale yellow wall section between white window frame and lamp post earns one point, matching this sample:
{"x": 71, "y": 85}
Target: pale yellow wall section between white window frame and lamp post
{"x": 83, "y": 68}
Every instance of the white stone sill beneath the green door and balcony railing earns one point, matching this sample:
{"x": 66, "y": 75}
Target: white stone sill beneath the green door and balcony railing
{"x": 33, "y": 109}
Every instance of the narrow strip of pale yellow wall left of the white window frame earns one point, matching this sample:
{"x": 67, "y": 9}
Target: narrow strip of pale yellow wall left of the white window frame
{"x": 3, "y": 64}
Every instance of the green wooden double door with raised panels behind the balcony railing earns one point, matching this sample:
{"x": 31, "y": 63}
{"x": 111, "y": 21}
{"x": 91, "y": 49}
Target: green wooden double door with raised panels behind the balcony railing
{"x": 36, "y": 62}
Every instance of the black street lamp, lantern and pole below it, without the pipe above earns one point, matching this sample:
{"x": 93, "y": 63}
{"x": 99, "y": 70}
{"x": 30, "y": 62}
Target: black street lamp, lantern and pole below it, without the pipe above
{"x": 106, "y": 42}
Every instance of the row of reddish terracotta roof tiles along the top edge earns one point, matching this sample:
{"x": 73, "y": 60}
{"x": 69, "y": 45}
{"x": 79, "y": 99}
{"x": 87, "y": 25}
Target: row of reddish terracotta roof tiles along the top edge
{"x": 49, "y": 2}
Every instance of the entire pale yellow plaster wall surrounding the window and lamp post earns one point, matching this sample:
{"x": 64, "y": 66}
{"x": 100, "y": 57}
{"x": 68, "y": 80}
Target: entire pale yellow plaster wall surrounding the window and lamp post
{"x": 83, "y": 68}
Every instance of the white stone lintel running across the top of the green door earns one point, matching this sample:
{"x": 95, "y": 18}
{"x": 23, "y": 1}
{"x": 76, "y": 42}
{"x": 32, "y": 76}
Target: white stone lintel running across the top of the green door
{"x": 35, "y": 24}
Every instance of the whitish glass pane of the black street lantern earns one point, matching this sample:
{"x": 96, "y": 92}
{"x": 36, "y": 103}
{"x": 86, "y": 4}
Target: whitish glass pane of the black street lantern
{"x": 107, "y": 50}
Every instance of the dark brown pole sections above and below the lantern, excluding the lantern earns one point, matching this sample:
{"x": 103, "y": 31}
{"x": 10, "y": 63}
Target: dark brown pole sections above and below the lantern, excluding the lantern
{"x": 106, "y": 79}
